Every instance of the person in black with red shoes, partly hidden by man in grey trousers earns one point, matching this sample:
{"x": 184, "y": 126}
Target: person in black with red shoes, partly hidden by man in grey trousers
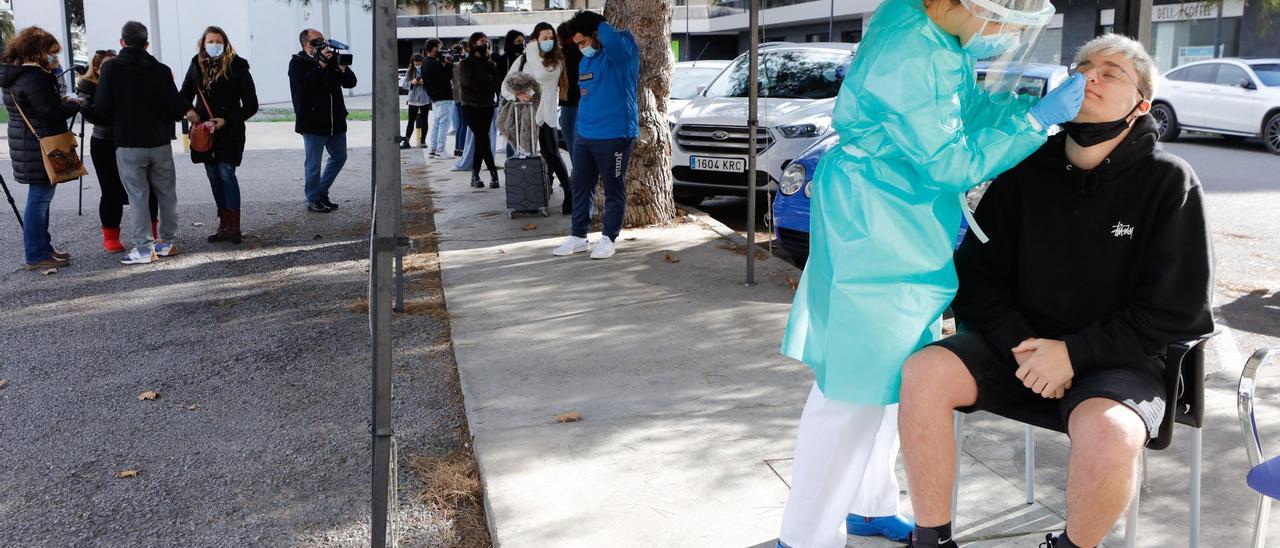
{"x": 111, "y": 208}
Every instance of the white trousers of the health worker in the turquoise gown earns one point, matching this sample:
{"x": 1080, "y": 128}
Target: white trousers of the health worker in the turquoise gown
{"x": 844, "y": 464}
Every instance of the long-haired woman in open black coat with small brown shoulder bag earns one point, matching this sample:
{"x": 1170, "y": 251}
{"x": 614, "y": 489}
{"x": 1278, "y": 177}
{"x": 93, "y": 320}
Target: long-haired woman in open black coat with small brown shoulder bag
{"x": 221, "y": 89}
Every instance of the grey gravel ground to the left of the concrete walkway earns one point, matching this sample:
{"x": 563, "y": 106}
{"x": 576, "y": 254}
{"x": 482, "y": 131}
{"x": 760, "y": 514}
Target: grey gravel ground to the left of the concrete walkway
{"x": 260, "y": 432}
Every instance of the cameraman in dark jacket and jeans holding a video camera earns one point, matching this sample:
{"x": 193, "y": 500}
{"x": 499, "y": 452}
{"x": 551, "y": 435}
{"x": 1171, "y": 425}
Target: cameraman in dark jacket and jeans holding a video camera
{"x": 317, "y": 80}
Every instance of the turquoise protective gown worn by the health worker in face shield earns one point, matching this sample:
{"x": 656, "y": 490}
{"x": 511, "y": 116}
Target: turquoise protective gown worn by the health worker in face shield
{"x": 916, "y": 131}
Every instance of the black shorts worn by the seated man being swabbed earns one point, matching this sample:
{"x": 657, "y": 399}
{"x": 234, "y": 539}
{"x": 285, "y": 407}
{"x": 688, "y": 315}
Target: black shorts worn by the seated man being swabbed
{"x": 1139, "y": 387}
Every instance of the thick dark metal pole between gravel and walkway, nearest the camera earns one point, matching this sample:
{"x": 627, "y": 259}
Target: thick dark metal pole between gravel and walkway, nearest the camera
{"x": 383, "y": 243}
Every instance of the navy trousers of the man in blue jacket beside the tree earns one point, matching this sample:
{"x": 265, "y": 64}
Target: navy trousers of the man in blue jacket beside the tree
{"x": 605, "y": 161}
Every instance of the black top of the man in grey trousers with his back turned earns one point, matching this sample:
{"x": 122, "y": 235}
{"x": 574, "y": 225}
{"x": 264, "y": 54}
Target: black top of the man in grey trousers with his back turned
{"x": 138, "y": 97}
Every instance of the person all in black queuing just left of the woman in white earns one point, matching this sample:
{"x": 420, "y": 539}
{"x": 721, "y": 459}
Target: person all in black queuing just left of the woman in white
{"x": 481, "y": 81}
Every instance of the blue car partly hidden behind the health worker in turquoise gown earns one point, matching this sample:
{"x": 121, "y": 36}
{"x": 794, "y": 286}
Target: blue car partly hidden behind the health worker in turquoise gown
{"x": 792, "y": 207}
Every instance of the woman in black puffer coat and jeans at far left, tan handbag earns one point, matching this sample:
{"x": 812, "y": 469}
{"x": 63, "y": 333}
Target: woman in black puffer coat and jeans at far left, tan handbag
{"x": 31, "y": 97}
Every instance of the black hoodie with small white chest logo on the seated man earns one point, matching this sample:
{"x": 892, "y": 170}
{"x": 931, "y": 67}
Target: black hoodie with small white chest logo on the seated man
{"x": 1117, "y": 262}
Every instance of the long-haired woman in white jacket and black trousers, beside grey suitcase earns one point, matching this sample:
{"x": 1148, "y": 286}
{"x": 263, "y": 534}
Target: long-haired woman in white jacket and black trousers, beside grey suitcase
{"x": 545, "y": 62}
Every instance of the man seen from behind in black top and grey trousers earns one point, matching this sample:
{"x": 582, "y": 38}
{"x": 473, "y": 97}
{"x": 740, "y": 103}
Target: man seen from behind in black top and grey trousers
{"x": 138, "y": 95}
